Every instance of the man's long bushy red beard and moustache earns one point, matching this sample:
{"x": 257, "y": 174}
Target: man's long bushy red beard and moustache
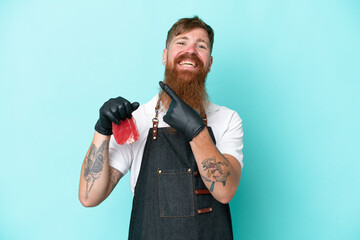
{"x": 188, "y": 85}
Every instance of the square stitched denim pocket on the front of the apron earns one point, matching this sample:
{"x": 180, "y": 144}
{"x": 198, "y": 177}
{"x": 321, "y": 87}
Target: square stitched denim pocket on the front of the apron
{"x": 176, "y": 193}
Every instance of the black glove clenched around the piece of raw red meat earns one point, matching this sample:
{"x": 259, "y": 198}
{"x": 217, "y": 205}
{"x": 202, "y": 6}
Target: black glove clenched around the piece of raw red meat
{"x": 113, "y": 110}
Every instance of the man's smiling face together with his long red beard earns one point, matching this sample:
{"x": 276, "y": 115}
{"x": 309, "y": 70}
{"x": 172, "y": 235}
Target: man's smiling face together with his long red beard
{"x": 188, "y": 62}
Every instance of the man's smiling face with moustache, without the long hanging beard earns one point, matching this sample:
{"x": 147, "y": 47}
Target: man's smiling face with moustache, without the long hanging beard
{"x": 189, "y": 53}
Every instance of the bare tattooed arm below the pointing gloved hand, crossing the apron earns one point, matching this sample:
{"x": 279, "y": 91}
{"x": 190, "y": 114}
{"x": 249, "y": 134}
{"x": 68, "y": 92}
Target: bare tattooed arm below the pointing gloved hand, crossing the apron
{"x": 220, "y": 173}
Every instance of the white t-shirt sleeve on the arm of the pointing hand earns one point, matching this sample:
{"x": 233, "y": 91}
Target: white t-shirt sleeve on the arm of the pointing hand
{"x": 231, "y": 141}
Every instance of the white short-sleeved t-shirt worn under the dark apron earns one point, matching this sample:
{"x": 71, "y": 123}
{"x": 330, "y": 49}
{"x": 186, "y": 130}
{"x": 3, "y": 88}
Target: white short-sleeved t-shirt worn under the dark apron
{"x": 225, "y": 123}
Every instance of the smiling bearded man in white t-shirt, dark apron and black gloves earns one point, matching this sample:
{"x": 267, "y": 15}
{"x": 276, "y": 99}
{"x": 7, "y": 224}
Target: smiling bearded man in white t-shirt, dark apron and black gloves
{"x": 186, "y": 166}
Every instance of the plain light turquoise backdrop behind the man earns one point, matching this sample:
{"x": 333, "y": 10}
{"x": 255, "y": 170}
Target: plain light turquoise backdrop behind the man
{"x": 289, "y": 68}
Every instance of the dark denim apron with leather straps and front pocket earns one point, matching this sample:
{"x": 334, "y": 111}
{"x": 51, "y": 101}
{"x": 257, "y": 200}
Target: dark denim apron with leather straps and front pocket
{"x": 171, "y": 201}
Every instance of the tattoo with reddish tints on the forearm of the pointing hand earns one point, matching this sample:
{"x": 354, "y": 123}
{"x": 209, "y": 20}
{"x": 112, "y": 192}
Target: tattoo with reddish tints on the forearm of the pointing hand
{"x": 215, "y": 171}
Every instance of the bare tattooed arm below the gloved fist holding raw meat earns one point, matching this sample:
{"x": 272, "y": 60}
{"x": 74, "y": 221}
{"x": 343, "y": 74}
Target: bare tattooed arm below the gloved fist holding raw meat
{"x": 97, "y": 179}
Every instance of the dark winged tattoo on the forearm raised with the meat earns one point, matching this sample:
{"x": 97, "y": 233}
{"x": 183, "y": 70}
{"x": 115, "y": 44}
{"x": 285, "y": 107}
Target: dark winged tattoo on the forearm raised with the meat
{"x": 94, "y": 164}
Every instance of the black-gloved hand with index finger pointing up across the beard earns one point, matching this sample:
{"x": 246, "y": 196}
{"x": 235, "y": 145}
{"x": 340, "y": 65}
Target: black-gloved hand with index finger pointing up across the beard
{"x": 181, "y": 116}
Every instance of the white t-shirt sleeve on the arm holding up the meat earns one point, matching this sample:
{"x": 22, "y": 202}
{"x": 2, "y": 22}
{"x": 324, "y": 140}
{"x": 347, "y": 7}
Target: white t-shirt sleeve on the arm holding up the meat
{"x": 120, "y": 156}
